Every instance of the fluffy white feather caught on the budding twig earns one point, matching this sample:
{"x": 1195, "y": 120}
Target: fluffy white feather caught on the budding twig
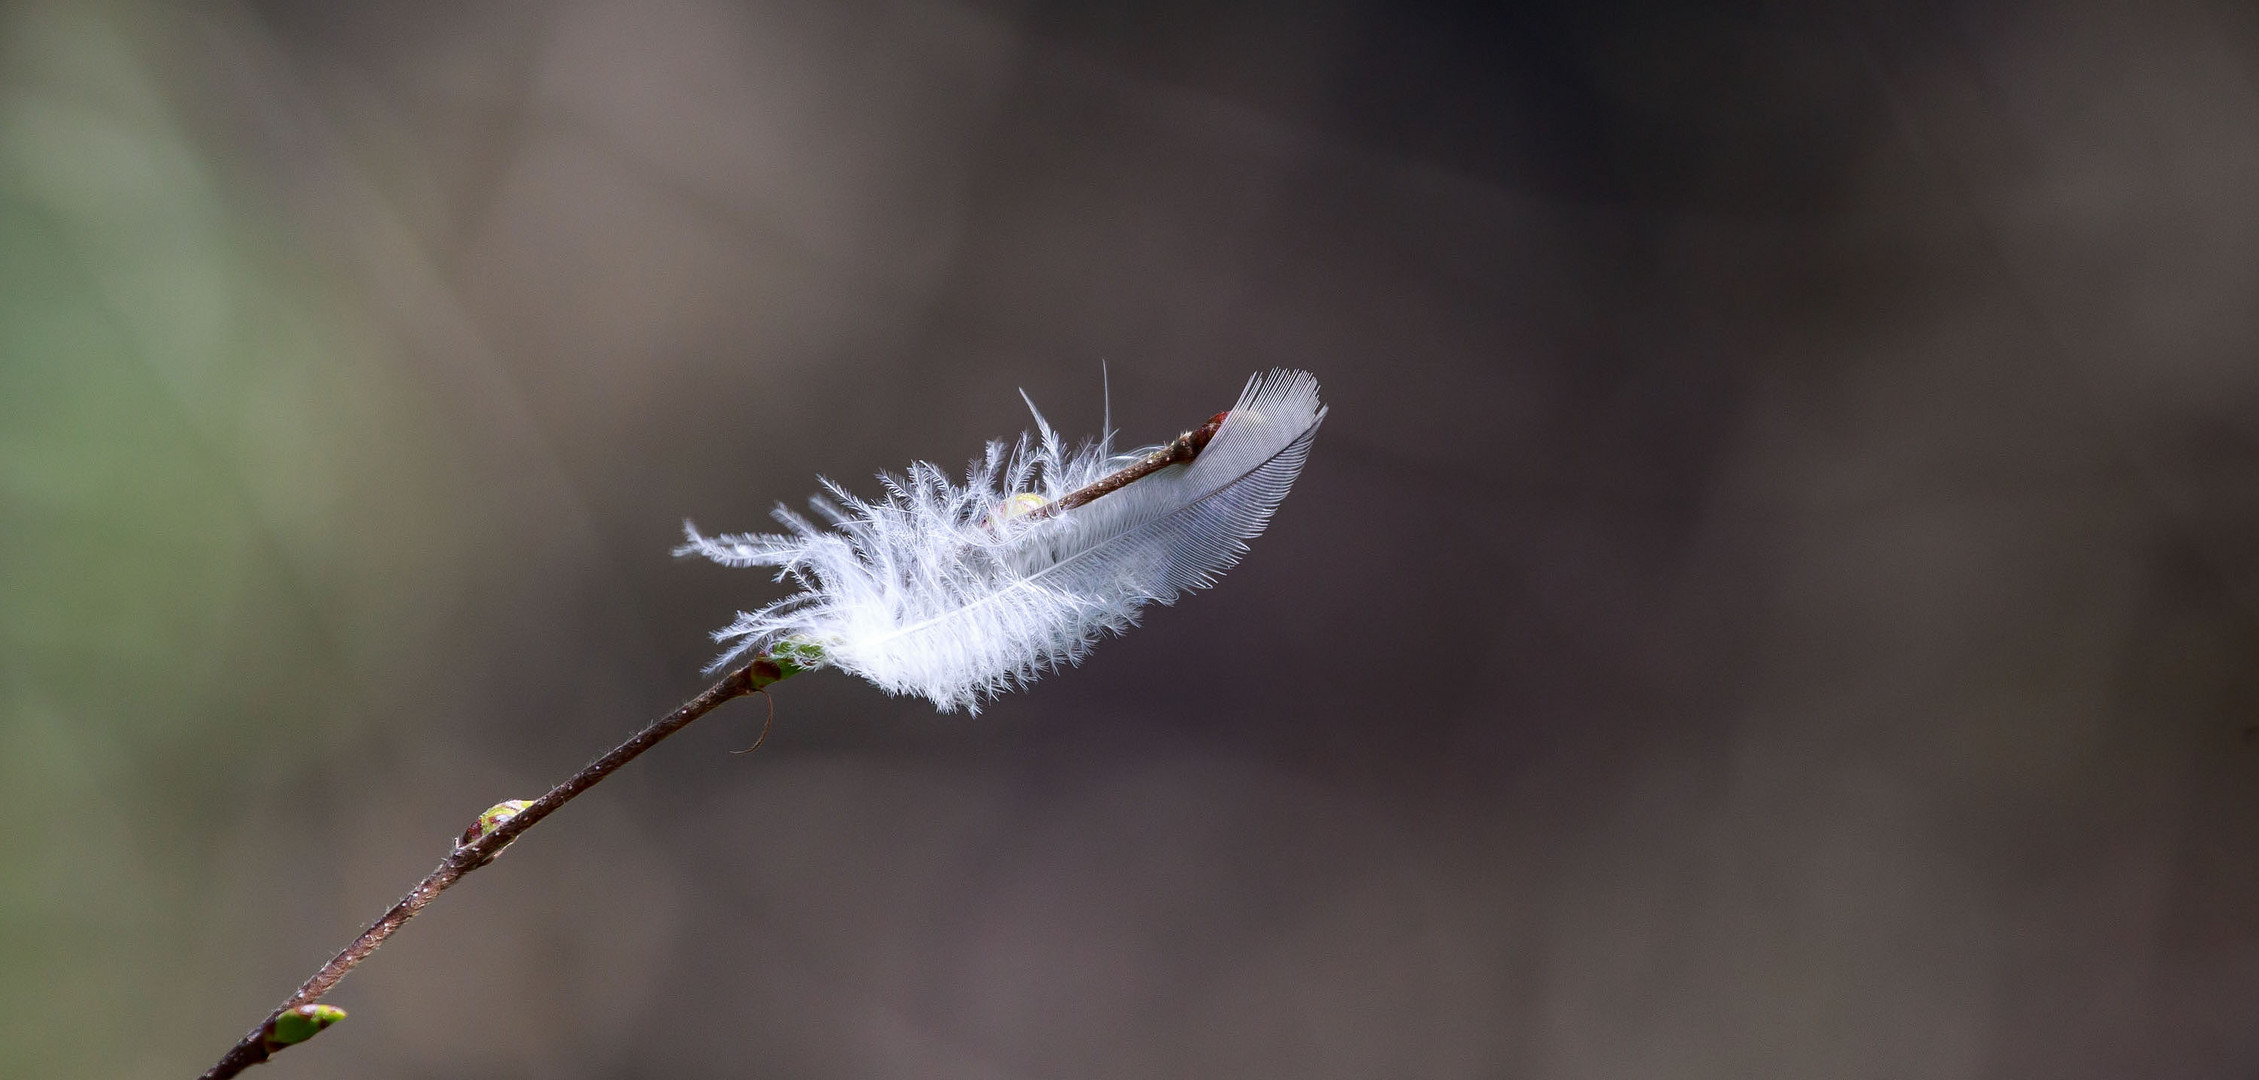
{"x": 954, "y": 595}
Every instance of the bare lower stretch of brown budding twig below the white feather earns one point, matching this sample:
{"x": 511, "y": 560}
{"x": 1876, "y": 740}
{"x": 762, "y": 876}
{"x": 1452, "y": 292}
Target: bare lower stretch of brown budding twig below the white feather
{"x": 480, "y": 846}
